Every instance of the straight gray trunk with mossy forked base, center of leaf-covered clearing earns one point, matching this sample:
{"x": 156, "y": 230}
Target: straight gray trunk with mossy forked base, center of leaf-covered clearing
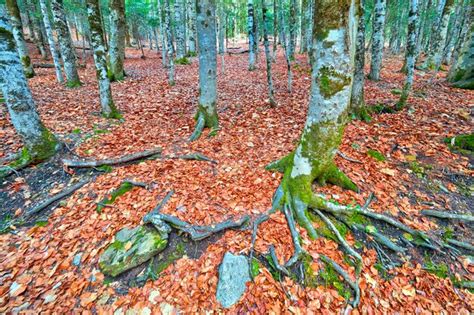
{"x": 206, "y": 115}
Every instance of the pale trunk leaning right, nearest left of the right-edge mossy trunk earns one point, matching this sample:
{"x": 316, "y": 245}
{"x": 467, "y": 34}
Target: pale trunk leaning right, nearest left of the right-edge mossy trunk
{"x": 435, "y": 56}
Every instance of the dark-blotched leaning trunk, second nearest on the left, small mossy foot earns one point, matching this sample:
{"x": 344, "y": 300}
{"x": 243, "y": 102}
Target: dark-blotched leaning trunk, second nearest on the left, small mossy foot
{"x": 100, "y": 60}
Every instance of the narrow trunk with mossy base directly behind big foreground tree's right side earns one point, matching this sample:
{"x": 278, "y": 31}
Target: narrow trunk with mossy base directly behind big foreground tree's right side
{"x": 358, "y": 106}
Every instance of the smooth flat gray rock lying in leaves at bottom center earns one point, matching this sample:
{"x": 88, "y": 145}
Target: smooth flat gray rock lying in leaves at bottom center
{"x": 234, "y": 273}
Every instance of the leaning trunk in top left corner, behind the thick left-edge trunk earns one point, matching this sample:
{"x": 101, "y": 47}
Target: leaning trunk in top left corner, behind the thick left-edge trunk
{"x": 17, "y": 27}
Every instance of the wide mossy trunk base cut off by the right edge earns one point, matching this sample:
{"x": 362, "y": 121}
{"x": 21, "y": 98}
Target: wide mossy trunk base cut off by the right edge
{"x": 462, "y": 75}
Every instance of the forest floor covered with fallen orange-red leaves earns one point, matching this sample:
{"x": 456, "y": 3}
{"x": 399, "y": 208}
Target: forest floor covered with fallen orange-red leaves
{"x": 51, "y": 263}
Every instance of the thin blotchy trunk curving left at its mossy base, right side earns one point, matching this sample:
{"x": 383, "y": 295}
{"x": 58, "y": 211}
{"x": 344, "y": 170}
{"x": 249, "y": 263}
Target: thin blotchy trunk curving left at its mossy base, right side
{"x": 410, "y": 53}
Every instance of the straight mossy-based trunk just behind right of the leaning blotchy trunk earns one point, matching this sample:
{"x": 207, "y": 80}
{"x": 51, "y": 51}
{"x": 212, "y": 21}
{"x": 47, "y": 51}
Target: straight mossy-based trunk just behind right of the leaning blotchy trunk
{"x": 118, "y": 29}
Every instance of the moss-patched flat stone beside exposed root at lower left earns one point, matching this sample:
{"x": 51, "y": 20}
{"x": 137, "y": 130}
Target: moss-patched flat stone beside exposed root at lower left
{"x": 131, "y": 248}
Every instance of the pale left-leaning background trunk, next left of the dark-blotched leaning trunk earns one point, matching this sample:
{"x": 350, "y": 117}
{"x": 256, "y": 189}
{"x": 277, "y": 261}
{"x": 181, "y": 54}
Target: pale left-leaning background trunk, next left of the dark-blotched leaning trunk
{"x": 65, "y": 44}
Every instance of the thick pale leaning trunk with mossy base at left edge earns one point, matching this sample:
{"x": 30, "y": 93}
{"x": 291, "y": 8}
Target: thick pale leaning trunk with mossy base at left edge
{"x": 39, "y": 142}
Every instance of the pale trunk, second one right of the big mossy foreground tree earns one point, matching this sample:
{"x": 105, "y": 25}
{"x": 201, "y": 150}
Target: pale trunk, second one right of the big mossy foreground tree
{"x": 377, "y": 39}
